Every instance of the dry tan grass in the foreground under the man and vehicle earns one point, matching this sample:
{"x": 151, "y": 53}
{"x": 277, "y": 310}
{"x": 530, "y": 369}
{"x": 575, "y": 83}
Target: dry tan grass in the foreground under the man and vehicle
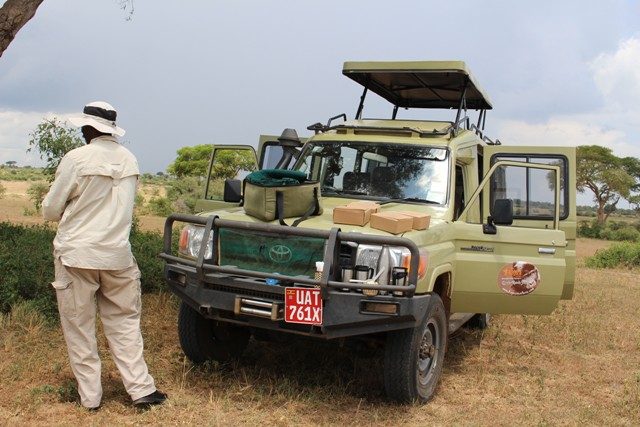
{"x": 580, "y": 365}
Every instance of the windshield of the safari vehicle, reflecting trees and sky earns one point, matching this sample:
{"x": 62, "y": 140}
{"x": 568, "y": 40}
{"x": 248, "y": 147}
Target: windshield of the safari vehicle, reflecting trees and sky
{"x": 377, "y": 170}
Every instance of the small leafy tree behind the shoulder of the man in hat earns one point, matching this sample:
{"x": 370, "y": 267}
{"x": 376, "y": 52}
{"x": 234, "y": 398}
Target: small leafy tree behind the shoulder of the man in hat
{"x": 53, "y": 139}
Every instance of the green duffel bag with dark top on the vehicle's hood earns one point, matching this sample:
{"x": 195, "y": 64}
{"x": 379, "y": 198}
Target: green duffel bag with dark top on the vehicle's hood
{"x": 277, "y": 194}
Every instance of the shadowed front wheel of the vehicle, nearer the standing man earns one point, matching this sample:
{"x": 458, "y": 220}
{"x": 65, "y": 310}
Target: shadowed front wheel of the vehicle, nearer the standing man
{"x": 204, "y": 339}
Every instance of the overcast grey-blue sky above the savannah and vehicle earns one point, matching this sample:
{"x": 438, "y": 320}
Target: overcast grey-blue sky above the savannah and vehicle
{"x": 186, "y": 73}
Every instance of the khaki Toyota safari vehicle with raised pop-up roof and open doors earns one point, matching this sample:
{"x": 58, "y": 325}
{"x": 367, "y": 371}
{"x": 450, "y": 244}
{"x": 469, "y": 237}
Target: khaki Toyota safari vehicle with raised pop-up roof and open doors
{"x": 501, "y": 237}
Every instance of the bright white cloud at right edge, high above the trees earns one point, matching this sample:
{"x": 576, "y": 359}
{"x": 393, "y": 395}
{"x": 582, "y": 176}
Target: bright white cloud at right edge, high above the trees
{"x": 617, "y": 75}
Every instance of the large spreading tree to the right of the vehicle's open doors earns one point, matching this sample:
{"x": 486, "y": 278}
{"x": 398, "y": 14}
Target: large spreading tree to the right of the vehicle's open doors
{"x": 609, "y": 177}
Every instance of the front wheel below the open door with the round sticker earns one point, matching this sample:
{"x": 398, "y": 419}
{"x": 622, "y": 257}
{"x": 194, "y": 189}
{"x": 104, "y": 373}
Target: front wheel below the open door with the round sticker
{"x": 414, "y": 357}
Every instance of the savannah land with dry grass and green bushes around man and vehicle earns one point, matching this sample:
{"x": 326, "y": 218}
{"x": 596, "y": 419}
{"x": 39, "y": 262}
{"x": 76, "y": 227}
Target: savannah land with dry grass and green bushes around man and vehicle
{"x": 579, "y": 365}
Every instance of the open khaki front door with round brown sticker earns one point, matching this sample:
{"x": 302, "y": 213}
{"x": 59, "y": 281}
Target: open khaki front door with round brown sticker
{"x": 517, "y": 267}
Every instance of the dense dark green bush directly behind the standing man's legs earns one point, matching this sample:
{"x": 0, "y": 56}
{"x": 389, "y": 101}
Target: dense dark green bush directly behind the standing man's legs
{"x": 27, "y": 266}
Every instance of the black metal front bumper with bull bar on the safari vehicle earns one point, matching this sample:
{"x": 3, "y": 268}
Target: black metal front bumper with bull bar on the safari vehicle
{"x": 230, "y": 294}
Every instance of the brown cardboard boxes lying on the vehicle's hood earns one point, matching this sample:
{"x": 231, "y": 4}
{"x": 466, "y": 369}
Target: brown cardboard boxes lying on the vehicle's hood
{"x": 360, "y": 213}
